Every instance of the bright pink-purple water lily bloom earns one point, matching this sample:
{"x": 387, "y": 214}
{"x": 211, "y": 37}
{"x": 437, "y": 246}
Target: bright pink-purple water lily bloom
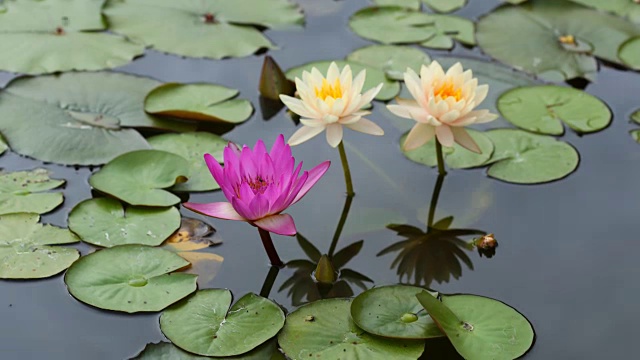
{"x": 259, "y": 185}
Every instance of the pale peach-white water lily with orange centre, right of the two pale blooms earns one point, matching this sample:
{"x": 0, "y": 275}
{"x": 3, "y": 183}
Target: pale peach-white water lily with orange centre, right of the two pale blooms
{"x": 443, "y": 105}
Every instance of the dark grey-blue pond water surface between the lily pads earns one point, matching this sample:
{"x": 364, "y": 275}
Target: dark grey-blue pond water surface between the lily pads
{"x": 566, "y": 257}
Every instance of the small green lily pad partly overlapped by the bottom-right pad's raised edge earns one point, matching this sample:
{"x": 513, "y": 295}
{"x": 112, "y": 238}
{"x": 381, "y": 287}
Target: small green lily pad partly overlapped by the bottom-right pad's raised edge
{"x": 393, "y": 312}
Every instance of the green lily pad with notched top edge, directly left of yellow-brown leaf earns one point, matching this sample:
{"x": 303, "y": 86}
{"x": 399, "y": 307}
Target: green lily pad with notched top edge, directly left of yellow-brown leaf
{"x": 105, "y": 222}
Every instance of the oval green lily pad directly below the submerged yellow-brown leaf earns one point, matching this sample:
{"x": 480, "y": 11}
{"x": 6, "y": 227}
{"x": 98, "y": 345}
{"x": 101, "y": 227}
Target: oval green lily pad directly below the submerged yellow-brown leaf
{"x": 130, "y": 278}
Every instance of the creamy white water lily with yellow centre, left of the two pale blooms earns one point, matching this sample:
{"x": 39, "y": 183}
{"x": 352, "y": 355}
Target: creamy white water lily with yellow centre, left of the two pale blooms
{"x": 330, "y": 103}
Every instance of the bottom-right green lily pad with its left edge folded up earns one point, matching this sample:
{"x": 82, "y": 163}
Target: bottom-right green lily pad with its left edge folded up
{"x": 479, "y": 327}
